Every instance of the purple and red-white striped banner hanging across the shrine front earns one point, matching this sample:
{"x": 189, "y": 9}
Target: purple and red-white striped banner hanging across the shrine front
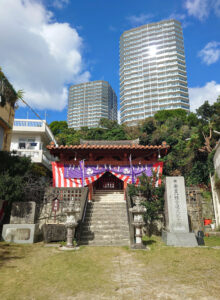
{"x": 66, "y": 175}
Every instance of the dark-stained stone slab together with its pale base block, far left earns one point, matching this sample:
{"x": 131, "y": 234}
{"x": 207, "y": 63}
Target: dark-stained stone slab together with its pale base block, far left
{"x": 22, "y": 228}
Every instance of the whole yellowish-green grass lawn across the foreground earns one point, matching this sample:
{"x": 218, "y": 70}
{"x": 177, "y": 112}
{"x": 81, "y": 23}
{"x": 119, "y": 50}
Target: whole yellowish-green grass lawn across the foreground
{"x": 37, "y": 272}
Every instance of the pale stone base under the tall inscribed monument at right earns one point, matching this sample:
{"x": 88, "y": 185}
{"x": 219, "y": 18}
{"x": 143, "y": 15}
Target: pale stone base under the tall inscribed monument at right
{"x": 180, "y": 239}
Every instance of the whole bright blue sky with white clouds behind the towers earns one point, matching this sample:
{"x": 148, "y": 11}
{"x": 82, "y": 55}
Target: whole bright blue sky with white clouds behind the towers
{"x": 48, "y": 45}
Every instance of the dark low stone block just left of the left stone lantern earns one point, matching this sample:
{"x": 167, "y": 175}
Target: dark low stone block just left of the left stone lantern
{"x": 54, "y": 232}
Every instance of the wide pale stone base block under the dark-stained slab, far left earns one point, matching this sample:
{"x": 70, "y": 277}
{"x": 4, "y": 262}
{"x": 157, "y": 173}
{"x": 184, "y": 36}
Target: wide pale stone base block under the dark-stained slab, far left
{"x": 21, "y": 233}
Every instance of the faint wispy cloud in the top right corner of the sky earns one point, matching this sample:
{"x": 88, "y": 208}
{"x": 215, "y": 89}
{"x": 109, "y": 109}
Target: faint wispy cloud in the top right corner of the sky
{"x": 201, "y": 9}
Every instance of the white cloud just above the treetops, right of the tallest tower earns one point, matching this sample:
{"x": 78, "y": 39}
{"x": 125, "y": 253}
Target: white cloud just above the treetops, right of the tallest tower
{"x": 198, "y": 95}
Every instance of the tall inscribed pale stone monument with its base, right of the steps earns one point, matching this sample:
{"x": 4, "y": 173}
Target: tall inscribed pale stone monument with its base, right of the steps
{"x": 177, "y": 225}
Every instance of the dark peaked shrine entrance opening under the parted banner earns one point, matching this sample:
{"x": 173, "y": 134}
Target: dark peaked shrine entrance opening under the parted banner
{"x": 108, "y": 182}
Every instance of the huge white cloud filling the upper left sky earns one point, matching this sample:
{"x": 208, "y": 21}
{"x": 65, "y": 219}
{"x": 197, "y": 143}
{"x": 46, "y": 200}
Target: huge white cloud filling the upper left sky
{"x": 39, "y": 55}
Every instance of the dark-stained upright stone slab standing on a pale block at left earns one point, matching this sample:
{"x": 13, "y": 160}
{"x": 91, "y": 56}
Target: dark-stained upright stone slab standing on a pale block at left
{"x": 23, "y": 213}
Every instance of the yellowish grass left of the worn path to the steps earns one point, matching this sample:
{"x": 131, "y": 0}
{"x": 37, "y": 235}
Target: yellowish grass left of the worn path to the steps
{"x": 39, "y": 272}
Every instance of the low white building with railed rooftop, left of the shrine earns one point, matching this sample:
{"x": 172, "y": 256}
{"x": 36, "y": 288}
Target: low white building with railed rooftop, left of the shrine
{"x": 30, "y": 138}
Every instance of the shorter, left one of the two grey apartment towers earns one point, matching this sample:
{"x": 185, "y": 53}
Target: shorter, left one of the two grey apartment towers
{"x": 89, "y": 102}
